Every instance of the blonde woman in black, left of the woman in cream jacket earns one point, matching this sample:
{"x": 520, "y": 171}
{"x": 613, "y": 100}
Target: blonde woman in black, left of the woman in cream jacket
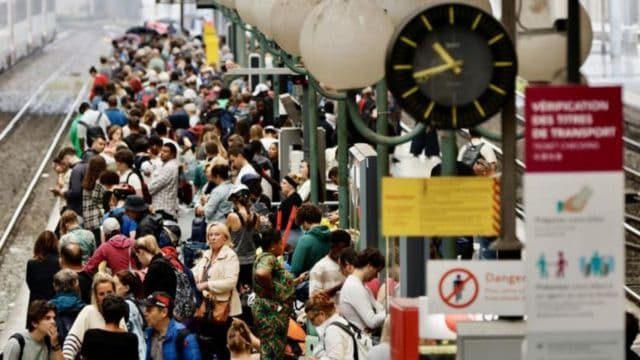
{"x": 160, "y": 275}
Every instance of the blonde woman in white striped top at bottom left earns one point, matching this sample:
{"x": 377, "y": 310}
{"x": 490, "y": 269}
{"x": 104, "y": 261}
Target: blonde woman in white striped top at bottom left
{"x": 91, "y": 316}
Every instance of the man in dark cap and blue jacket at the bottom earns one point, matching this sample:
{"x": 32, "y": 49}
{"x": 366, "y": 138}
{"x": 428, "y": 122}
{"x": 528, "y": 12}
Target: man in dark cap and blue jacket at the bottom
{"x": 166, "y": 338}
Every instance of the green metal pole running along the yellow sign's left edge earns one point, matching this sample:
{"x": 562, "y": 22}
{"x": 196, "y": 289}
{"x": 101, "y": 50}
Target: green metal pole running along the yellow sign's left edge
{"x": 382, "y": 150}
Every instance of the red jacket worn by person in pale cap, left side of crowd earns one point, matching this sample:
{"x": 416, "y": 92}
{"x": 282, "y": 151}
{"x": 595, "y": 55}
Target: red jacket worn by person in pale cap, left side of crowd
{"x": 117, "y": 252}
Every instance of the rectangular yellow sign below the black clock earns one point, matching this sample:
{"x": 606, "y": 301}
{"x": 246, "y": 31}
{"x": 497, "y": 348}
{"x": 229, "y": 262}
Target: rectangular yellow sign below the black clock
{"x": 442, "y": 206}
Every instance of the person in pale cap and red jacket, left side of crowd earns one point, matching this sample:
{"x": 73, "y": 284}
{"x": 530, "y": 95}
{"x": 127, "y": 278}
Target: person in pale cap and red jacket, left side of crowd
{"x": 116, "y": 251}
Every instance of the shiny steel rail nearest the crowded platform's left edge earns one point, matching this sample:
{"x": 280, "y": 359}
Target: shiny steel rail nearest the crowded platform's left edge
{"x": 45, "y": 162}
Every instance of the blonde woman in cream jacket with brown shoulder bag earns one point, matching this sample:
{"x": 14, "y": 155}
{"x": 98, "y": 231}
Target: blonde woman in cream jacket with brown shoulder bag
{"x": 216, "y": 275}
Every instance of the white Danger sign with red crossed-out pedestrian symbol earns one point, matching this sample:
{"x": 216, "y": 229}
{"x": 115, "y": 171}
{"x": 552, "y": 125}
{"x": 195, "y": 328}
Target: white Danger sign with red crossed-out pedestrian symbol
{"x": 488, "y": 287}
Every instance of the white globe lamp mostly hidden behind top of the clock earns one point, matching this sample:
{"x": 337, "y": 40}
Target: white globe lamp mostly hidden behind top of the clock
{"x": 399, "y": 10}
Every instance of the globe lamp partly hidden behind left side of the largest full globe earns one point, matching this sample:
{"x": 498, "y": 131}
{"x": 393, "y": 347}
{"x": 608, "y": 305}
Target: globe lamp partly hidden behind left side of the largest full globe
{"x": 287, "y": 18}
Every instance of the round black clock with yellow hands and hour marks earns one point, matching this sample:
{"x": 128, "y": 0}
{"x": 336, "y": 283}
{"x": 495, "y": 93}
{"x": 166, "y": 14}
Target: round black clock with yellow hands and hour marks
{"x": 451, "y": 66}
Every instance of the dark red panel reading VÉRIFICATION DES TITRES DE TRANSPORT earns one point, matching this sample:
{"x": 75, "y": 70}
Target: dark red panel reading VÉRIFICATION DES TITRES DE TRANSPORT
{"x": 573, "y": 128}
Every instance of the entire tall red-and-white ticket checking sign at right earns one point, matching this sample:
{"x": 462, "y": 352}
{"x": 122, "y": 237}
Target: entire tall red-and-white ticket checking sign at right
{"x": 574, "y": 193}
